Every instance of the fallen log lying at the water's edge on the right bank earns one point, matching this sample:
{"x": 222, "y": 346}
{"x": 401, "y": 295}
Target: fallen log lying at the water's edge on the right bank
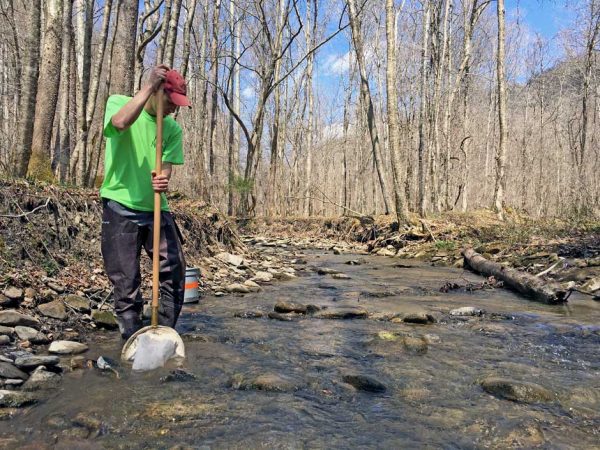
{"x": 522, "y": 282}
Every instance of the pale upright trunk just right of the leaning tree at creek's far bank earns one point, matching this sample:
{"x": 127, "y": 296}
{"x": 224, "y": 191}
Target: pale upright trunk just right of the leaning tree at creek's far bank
{"x": 393, "y": 117}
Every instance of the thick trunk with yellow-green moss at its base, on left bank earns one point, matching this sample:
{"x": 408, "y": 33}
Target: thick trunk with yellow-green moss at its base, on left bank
{"x": 48, "y": 85}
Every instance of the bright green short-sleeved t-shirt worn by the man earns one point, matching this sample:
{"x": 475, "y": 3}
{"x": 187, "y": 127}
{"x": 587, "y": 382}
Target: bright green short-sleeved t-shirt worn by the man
{"x": 130, "y": 157}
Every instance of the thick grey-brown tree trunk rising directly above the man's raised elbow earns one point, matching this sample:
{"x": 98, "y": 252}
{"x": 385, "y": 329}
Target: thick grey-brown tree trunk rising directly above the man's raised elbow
{"x": 122, "y": 69}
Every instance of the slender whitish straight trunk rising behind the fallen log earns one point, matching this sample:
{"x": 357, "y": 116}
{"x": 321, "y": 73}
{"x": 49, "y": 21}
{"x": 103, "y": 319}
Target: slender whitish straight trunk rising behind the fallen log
{"x": 501, "y": 154}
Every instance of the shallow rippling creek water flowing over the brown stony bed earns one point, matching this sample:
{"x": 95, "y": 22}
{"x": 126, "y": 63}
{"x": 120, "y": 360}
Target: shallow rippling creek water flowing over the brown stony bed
{"x": 433, "y": 399}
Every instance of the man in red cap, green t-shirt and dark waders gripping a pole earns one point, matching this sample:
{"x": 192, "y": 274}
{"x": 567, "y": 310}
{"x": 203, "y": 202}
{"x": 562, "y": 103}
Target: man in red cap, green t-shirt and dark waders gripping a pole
{"x": 128, "y": 197}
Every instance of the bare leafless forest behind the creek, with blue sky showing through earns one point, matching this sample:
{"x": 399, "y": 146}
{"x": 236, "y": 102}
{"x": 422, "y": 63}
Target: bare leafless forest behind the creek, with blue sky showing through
{"x": 318, "y": 108}
